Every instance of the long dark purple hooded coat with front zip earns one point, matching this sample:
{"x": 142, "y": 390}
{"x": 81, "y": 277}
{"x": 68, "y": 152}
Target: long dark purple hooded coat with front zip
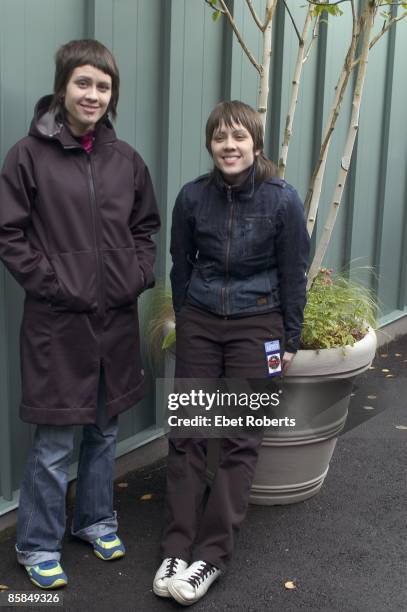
{"x": 75, "y": 232}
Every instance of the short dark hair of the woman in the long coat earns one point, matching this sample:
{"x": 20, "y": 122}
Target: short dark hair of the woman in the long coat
{"x": 79, "y": 53}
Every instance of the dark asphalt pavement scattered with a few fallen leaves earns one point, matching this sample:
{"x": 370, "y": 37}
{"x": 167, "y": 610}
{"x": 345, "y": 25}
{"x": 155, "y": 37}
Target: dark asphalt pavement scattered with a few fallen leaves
{"x": 343, "y": 550}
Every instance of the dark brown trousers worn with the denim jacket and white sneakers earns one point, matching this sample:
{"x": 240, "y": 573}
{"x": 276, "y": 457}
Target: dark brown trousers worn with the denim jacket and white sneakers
{"x": 209, "y": 347}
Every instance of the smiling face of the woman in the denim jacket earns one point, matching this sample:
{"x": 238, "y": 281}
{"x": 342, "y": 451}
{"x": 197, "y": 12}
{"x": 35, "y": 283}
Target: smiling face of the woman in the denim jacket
{"x": 233, "y": 151}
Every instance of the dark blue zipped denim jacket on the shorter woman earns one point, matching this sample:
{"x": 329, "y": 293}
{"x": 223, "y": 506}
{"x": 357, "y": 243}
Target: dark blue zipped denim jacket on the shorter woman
{"x": 241, "y": 250}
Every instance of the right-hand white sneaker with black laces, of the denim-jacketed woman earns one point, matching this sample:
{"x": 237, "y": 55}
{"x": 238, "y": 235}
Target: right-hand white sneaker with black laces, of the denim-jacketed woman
{"x": 192, "y": 584}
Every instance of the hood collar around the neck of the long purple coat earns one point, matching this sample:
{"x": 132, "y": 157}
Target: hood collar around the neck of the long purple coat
{"x": 49, "y": 125}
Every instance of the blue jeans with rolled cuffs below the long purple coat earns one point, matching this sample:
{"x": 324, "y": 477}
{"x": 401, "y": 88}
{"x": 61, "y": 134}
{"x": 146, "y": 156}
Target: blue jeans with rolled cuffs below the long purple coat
{"x": 41, "y": 514}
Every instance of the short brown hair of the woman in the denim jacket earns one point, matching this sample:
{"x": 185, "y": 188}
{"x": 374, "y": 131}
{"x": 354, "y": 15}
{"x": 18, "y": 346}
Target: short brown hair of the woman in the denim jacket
{"x": 234, "y": 112}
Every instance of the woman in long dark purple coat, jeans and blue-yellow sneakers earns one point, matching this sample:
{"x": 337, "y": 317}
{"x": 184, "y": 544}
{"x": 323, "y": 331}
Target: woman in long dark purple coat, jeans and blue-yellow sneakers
{"x": 77, "y": 211}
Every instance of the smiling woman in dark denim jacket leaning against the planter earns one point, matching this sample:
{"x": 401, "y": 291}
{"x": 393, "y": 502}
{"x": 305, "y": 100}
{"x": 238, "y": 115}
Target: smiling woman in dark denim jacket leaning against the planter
{"x": 240, "y": 251}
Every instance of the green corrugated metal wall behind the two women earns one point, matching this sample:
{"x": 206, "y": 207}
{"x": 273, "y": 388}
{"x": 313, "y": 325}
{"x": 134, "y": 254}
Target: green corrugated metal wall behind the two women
{"x": 175, "y": 65}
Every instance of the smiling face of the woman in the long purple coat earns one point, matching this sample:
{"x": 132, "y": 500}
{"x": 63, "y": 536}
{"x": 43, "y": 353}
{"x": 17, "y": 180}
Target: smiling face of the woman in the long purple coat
{"x": 87, "y": 98}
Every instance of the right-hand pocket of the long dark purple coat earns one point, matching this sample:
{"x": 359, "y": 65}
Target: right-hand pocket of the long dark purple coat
{"x": 123, "y": 276}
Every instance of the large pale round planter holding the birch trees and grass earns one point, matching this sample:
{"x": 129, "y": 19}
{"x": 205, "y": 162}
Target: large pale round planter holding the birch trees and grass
{"x": 293, "y": 463}
